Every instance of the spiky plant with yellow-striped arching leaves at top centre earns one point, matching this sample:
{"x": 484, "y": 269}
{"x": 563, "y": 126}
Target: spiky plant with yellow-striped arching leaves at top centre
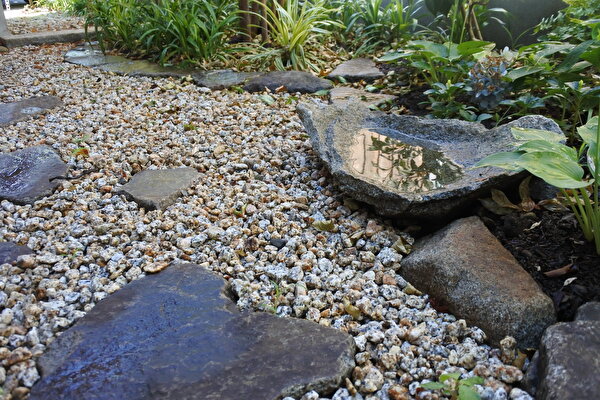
{"x": 291, "y": 26}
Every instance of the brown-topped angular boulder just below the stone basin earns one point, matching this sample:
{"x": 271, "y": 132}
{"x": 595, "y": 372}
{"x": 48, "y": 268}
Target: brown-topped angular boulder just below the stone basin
{"x": 466, "y": 268}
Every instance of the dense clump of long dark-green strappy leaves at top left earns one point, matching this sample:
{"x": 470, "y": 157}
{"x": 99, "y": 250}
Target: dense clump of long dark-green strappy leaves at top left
{"x": 166, "y": 30}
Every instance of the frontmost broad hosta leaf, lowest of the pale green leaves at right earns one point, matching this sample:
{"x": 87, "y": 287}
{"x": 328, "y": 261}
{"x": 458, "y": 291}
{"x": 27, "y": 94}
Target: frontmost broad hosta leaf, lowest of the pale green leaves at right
{"x": 555, "y": 170}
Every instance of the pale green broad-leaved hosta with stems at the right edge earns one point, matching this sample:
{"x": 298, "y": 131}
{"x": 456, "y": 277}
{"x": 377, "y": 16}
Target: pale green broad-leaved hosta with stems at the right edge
{"x": 543, "y": 155}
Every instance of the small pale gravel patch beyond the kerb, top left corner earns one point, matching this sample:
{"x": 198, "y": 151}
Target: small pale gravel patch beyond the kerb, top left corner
{"x": 30, "y": 20}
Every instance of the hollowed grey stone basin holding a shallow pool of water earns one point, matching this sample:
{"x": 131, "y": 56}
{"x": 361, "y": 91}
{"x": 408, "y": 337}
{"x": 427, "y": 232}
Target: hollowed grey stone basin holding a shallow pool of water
{"x": 409, "y": 167}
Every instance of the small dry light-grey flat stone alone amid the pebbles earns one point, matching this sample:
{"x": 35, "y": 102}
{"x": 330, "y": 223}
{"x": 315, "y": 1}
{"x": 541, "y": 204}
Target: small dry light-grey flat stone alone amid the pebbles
{"x": 158, "y": 189}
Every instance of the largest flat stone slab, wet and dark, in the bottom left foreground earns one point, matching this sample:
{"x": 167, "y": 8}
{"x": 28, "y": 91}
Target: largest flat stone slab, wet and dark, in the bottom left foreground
{"x": 177, "y": 335}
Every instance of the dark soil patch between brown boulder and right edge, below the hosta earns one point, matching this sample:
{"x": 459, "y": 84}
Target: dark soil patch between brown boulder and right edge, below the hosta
{"x": 555, "y": 243}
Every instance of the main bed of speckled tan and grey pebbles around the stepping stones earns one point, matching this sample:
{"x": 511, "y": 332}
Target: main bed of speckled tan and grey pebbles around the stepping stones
{"x": 251, "y": 217}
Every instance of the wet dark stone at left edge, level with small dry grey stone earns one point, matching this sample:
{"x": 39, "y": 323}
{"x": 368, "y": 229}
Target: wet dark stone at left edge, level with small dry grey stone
{"x": 28, "y": 175}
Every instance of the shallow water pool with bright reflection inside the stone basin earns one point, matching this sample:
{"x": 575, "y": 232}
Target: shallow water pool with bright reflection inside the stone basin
{"x": 400, "y": 166}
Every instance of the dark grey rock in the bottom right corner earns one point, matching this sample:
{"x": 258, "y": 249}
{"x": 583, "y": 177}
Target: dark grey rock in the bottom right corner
{"x": 567, "y": 364}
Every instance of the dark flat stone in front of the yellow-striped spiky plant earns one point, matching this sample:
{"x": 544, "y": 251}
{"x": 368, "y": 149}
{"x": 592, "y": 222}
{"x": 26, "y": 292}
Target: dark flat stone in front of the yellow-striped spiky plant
{"x": 292, "y": 81}
